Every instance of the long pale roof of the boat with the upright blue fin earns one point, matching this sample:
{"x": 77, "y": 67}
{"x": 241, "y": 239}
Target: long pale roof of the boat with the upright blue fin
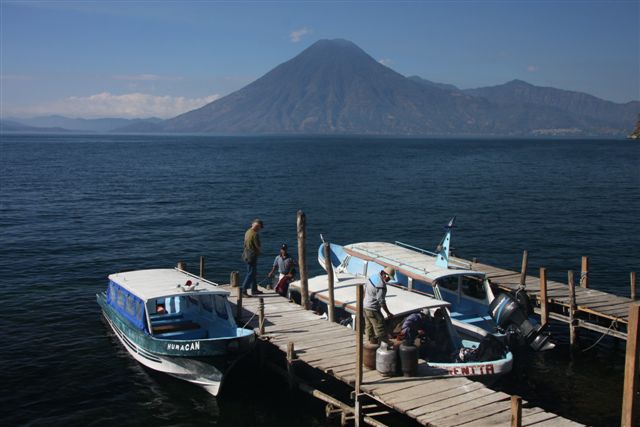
{"x": 418, "y": 266}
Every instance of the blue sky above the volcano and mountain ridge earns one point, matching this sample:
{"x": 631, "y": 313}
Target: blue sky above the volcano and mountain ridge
{"x": 161, "y": 58}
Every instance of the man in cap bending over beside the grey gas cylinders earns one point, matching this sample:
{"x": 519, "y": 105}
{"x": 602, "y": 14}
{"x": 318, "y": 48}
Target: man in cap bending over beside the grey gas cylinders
{"x": 373, "y": 304}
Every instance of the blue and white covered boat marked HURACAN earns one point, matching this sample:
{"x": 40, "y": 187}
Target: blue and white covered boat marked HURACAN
{"x": 176, "y": 323}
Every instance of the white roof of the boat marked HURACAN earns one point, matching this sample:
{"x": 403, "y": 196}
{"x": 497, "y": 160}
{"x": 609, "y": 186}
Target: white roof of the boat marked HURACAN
{"x": 165, "y": 282}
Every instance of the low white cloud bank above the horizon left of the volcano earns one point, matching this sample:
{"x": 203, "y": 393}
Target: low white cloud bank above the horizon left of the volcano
{"x": 105, "y": 104}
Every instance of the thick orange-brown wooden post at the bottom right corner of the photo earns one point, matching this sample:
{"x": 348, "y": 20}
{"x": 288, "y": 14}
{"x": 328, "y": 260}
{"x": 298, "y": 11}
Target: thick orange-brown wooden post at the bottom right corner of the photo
{"x": 630, "y": 403}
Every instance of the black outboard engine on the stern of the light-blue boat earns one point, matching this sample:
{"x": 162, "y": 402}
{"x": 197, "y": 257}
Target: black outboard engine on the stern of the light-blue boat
{"x": 506, "y": 311}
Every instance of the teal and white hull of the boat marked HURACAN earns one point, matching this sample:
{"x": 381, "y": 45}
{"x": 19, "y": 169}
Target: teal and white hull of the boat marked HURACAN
{"x": 203, "y": 362}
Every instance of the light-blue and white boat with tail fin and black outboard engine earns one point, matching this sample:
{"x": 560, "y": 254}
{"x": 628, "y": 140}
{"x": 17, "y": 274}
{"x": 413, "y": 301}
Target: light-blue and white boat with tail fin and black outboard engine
{"x": 475, "y": 309}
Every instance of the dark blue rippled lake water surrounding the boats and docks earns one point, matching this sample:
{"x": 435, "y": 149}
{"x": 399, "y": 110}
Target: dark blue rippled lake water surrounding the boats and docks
{"x": 76, "y": 208}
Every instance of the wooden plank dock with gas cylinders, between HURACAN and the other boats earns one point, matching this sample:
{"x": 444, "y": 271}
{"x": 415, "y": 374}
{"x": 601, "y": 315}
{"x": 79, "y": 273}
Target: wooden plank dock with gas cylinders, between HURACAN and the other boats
{"x": 331, "y": 349}
